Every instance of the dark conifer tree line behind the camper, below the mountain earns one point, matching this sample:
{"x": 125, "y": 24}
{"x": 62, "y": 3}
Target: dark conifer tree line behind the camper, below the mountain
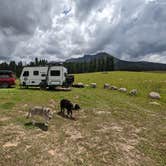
{"x": 94, "y": 65}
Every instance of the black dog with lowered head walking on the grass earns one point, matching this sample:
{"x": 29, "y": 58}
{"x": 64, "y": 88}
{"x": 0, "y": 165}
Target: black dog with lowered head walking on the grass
{"x": 67, "y": 104}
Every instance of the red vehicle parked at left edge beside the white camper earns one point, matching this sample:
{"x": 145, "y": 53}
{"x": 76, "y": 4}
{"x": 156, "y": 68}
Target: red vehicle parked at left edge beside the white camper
{"x": 7, "y": 78}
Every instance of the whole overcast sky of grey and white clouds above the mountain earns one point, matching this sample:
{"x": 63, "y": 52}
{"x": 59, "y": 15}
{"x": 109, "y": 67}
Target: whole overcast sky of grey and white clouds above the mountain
{"x": 59, "y": 29}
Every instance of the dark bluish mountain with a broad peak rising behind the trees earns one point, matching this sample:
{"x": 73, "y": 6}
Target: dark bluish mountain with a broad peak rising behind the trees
{"x": 120, "y": 64}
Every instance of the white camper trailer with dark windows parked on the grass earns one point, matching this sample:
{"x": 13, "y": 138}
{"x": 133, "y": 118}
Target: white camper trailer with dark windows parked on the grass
{"x": 48, "y": 76}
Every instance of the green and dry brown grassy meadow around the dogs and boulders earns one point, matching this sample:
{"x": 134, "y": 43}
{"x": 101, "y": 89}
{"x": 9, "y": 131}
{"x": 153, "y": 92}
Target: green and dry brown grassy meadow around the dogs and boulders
{"x": 112, "y": 128}
